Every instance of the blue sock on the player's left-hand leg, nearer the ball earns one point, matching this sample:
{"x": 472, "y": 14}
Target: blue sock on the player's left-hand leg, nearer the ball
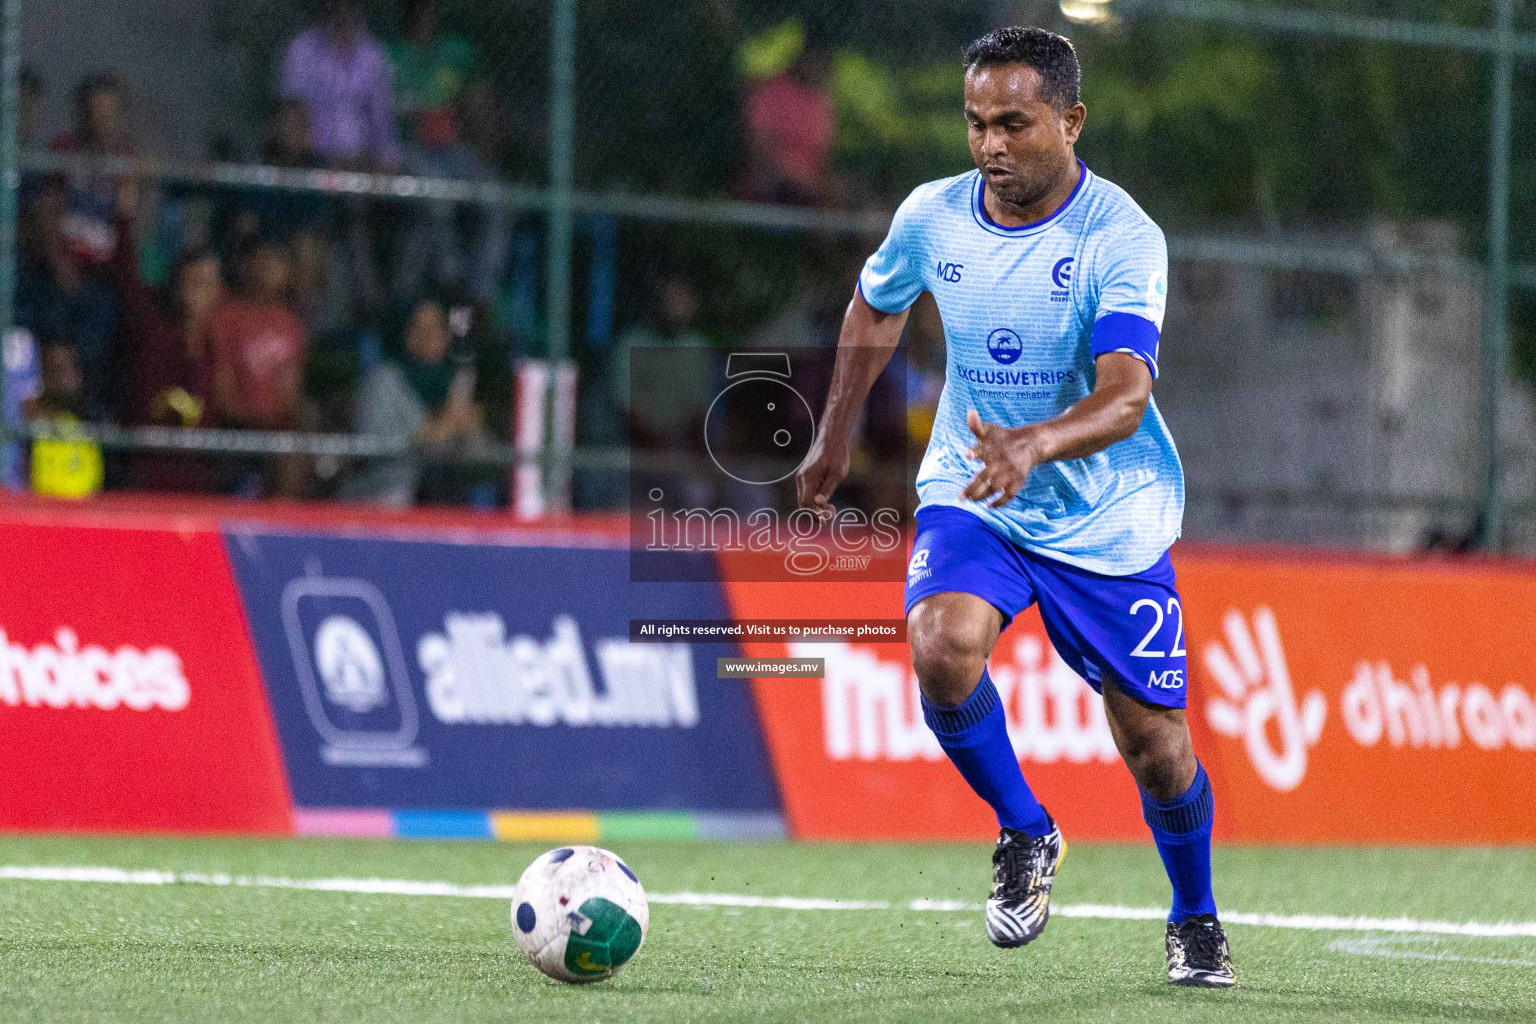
{"x": 975, "y": 735}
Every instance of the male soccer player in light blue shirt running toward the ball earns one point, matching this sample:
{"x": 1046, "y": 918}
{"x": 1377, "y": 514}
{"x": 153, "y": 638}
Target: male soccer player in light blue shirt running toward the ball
{"x": 1050, "y": 478}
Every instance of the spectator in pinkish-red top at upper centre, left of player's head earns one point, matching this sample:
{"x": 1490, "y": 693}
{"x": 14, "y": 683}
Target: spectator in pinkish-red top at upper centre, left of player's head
{"x": 790, "y": 128}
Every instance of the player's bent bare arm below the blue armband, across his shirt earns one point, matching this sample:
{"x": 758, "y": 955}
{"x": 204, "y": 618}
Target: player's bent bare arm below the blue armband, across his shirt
{"x": 1111, "y": 414}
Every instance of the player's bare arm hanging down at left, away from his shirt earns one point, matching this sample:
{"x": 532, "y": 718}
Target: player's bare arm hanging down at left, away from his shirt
{"x": 864, "y": 349}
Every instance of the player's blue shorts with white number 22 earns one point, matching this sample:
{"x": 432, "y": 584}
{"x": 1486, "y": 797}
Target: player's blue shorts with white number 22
{"x": 1130, "y": 629}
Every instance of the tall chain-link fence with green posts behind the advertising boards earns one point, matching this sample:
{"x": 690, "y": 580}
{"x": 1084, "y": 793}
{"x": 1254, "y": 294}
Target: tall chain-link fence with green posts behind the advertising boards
{"x": 717, "y": 171}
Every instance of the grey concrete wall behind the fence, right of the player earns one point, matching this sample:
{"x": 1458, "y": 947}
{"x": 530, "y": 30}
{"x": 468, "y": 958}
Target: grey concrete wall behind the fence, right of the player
{"x": 1306, "y": 386}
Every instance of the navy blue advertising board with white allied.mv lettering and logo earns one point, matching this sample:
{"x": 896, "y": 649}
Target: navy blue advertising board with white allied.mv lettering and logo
{"x": 425, "y": 675}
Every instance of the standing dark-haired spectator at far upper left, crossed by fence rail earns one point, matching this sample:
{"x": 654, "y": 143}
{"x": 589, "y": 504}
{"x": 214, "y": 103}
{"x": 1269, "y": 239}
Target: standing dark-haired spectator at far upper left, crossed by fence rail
{"x": 90, "y": 222}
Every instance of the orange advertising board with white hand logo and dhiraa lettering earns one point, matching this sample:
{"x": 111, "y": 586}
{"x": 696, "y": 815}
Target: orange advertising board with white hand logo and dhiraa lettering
{"x": 1365, "y": 701}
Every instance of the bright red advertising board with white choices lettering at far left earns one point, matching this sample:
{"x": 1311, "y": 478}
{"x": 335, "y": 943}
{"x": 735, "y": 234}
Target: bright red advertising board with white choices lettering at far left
{"x": 130, "y": 696}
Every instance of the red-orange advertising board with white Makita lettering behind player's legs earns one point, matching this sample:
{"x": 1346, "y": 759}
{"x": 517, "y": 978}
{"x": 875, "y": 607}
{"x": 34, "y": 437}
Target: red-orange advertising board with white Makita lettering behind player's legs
{"x": 856, "y": 761}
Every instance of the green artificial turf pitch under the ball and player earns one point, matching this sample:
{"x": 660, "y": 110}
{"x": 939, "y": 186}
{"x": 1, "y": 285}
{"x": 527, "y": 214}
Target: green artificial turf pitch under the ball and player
{"x": 185, "y": 953}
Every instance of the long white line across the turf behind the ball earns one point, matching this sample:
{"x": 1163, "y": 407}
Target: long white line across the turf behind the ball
{"x": 1108, "y": 913}
